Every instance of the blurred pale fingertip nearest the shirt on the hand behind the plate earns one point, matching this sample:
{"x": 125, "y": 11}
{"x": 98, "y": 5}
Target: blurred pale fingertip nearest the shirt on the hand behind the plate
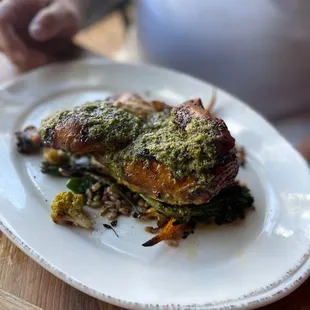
{"x": 55, "y": 20}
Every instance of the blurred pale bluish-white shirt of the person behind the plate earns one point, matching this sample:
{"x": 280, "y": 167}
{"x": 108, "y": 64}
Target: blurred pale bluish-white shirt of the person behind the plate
{"x": 258, "y": 50}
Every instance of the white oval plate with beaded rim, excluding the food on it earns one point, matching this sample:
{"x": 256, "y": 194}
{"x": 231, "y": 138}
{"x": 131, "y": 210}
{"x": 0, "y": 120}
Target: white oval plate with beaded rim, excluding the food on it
{"x": 244, "y": 265}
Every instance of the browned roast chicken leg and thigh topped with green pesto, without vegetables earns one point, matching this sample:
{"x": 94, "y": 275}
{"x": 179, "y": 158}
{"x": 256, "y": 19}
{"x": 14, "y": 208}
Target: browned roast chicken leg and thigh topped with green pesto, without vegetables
{"x": 180, "y": 157}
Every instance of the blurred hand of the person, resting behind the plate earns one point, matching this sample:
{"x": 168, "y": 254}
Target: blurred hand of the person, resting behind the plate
{"x": 35, "y": 32}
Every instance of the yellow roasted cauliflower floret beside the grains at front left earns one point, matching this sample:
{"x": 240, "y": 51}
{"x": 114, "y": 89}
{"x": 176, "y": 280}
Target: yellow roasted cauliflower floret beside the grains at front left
{"x": 68, "y": 207}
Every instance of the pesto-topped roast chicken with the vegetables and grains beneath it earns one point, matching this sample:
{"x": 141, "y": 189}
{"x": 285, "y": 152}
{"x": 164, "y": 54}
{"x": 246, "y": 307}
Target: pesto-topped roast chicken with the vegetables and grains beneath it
{"x": 131, "y": 157}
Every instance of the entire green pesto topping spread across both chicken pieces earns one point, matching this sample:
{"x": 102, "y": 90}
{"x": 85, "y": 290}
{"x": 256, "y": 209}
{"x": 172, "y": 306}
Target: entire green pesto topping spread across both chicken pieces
{"x": 126, "y": 137}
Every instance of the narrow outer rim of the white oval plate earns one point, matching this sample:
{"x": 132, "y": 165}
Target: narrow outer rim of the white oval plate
{"x": 240, "y": 303}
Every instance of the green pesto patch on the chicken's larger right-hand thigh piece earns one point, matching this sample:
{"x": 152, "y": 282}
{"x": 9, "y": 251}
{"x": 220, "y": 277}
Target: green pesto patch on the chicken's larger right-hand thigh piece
{"x": 185, "y": 151}
